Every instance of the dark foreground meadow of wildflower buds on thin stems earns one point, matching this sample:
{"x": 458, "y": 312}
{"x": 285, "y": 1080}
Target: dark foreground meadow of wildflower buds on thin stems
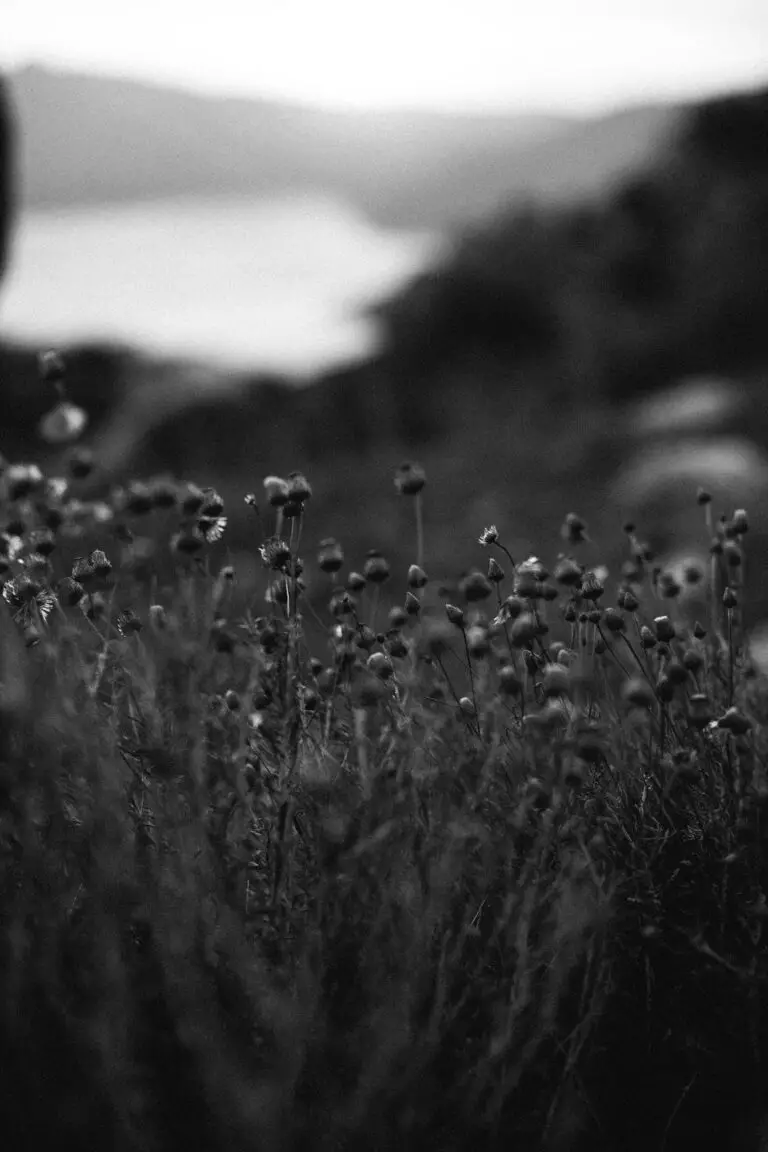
{"x": 470, "y": 867}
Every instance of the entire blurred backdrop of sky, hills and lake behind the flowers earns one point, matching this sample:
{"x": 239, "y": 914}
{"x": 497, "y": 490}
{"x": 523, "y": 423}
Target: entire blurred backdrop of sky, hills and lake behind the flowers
{"x": 524, "y": 245}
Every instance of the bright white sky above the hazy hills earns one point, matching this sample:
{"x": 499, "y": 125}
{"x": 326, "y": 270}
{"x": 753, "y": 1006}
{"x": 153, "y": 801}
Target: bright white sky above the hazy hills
{"x": 559, "y": 56}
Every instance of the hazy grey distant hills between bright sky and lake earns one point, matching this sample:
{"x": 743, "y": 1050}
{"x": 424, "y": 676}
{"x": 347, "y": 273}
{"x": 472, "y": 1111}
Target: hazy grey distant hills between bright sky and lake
{"x": 90, "y": 140}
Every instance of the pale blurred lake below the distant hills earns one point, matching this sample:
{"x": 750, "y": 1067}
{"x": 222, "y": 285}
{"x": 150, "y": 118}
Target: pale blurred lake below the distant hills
{"x": 278, "y": 285}
